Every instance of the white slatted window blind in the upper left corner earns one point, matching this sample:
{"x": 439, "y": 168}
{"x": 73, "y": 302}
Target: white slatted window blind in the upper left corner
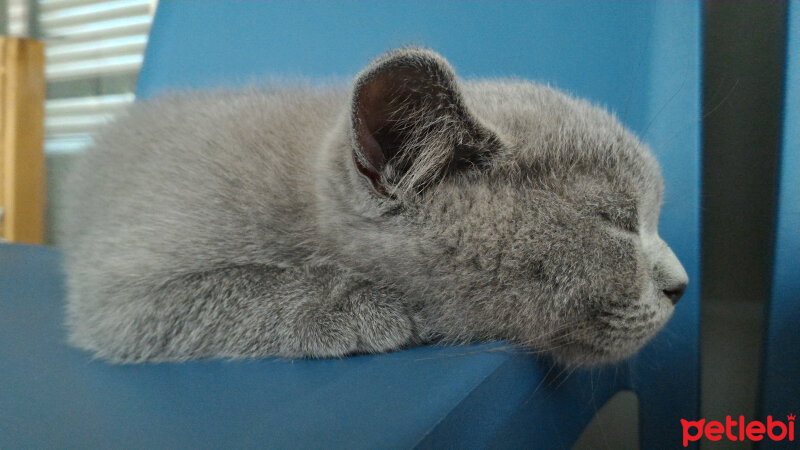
{"x": 89, "y": 45}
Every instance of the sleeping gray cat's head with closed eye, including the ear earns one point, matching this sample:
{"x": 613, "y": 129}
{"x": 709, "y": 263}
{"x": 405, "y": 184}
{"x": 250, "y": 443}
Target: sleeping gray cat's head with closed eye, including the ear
{"x": 511, "y": 210}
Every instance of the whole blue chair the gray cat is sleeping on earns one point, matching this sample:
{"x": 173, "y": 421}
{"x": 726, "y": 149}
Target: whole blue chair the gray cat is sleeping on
{"x": 640, "y": 59}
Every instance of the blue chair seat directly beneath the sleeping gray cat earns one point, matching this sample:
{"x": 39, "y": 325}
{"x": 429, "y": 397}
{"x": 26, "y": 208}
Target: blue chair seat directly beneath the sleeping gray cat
{"x": 53, "y": 396}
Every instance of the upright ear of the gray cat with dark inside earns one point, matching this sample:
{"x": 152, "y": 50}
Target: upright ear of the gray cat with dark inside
{"x": 410, "y": 124}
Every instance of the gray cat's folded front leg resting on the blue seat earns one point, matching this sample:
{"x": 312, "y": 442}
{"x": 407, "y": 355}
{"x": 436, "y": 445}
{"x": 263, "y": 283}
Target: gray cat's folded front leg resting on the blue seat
{"x": 246, "y": 311}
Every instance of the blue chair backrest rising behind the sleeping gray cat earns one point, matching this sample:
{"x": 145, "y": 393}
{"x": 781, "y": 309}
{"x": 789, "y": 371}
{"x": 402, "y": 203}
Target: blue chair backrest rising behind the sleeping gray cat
{"x": 641, "y": 60}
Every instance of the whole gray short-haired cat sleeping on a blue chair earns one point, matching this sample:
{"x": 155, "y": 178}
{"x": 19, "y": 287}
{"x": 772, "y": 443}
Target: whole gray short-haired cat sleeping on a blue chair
{"x": 412, "y": 208}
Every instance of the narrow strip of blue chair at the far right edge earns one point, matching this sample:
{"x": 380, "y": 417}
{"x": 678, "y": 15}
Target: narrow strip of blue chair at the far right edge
{"x": 781, "y": 369}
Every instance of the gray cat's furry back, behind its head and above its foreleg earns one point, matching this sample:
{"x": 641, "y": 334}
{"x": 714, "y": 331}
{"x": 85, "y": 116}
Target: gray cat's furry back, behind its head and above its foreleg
{"x": 213, "y": 175}
